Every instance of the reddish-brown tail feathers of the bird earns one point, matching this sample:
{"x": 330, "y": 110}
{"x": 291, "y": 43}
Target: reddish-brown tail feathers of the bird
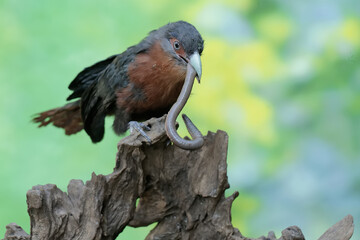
{"x": 67, "y": 117}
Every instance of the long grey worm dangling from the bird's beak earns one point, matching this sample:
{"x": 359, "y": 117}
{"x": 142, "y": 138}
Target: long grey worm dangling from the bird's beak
{"x": 170, "y": 122}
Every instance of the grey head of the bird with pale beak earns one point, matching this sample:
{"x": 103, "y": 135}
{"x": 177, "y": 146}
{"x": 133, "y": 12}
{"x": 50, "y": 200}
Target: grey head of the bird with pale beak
{"x": 183, "y": 42}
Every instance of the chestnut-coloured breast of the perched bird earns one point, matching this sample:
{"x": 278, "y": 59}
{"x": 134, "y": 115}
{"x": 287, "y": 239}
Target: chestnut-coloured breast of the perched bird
{"x": 155, "y": 82}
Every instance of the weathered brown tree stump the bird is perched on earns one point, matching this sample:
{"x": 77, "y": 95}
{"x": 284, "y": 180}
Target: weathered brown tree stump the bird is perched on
{"x": 181, "y": 190}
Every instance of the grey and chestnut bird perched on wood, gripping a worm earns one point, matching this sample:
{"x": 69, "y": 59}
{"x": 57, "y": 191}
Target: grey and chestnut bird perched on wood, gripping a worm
{"x": 142, "y": 82}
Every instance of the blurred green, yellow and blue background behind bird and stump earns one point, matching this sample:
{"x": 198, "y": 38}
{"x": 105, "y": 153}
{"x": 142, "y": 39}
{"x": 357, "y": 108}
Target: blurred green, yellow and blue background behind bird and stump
{"x": 281, "y": 77}
